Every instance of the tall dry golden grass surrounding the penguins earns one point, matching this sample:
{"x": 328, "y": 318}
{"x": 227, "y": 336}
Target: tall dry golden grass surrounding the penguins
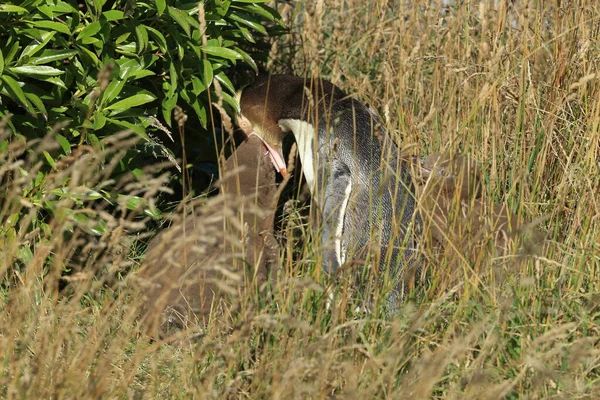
{"x": 517, "y": 87}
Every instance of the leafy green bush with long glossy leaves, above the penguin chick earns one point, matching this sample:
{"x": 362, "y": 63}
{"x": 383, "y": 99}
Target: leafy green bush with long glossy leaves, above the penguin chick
{"x": 108, "y": 66}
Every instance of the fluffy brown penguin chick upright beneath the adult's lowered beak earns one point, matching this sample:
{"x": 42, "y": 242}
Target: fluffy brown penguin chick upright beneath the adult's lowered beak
{"x": 193, "y": 269}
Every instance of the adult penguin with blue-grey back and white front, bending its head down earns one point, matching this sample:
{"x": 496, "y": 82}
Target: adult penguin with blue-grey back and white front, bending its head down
{"x": 362, "y": 189}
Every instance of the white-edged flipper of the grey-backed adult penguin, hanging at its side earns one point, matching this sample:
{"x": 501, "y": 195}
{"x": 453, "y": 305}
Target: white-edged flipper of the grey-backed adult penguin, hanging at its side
{"x": 336, "y": 194}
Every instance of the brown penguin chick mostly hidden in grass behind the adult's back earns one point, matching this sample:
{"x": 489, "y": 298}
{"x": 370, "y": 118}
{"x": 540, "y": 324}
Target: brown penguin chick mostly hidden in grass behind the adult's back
{"x": 455, "y": 217}
